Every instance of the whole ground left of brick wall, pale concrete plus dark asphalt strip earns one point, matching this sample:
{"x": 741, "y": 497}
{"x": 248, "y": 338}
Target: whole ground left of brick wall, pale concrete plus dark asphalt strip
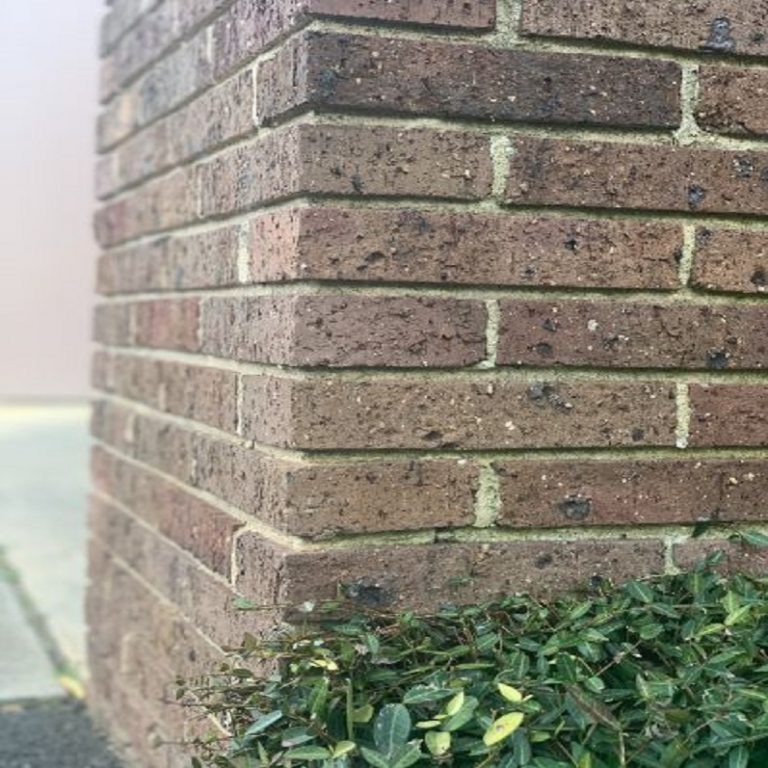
{"x": 43, "y": 535}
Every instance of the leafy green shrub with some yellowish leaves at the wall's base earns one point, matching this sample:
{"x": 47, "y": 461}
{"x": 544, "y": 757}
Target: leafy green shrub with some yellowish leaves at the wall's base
{"x": 669, "y": 672}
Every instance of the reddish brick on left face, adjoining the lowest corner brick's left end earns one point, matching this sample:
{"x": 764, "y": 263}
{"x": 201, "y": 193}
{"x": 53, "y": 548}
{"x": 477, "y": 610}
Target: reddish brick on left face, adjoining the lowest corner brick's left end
{"x": 196, "y": 526}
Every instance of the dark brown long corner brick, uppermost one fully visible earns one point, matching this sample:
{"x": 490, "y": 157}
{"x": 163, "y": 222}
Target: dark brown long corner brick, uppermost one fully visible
{"x": 392, "y": 75}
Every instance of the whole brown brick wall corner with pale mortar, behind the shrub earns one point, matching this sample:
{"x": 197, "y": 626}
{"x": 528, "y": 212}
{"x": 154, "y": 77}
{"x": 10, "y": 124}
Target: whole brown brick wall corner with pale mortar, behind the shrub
{"x": 431, "y": 299}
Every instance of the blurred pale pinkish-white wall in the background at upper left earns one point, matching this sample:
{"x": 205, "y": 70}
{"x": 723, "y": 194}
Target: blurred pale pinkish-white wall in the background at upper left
{"x": 48, "y": 92}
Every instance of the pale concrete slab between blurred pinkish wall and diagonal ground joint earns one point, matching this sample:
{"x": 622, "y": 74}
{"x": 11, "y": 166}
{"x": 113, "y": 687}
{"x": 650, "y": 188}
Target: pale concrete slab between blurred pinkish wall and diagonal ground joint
{"x": 43, "y": 499}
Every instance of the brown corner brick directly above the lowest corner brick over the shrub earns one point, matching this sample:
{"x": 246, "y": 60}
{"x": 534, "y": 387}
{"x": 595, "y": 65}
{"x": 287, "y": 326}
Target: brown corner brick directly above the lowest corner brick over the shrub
{"x": 322, "y": 500}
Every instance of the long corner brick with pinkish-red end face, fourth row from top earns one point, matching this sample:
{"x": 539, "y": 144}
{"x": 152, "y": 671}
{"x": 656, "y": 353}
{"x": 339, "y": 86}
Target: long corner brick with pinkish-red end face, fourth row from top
{"x": 408, "y": 245}
